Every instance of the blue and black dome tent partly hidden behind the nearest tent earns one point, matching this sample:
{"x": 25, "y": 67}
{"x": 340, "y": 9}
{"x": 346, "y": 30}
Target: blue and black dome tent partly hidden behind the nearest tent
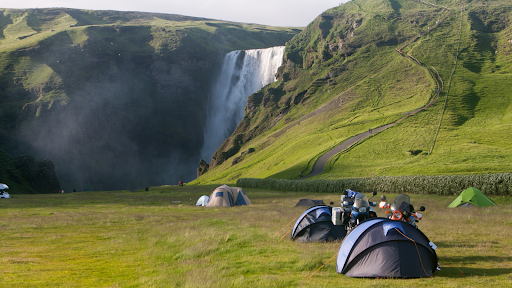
{"x": 315, "y": 225}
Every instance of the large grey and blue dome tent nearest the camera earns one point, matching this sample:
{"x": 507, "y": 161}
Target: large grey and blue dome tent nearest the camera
{"x": 381, "y": 247}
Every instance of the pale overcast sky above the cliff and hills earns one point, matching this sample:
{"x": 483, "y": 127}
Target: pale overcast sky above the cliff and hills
{"x": 296, "y": 13}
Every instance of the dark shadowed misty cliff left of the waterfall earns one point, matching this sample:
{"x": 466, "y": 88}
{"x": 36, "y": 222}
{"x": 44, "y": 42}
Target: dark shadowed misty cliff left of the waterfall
{"x": 118, "y": 106}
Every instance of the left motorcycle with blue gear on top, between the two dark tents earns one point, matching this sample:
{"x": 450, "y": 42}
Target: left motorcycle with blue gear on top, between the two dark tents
{"x": 357, "y": 208}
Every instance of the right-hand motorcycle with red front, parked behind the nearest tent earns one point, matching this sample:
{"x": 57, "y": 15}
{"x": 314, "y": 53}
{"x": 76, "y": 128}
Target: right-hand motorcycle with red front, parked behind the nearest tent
{"x": 402, "y": 210}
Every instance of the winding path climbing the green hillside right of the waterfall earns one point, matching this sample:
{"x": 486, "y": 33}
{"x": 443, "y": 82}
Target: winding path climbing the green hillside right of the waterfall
{"x": 319, "y": 166}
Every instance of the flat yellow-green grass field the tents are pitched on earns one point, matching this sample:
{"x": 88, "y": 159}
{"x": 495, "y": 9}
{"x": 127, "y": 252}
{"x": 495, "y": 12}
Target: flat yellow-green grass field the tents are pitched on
{"x": 147, "y": 238}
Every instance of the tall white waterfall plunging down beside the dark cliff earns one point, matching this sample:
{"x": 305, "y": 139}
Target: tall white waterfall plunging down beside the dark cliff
{"x": 243, "y": 73}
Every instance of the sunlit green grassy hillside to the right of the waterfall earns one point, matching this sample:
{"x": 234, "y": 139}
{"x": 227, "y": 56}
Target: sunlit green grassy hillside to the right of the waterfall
{"x": 343, "y": 75}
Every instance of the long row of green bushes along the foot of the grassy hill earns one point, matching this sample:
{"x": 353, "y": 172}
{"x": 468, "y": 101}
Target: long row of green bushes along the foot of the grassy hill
{"x": 490, "y": 184}
